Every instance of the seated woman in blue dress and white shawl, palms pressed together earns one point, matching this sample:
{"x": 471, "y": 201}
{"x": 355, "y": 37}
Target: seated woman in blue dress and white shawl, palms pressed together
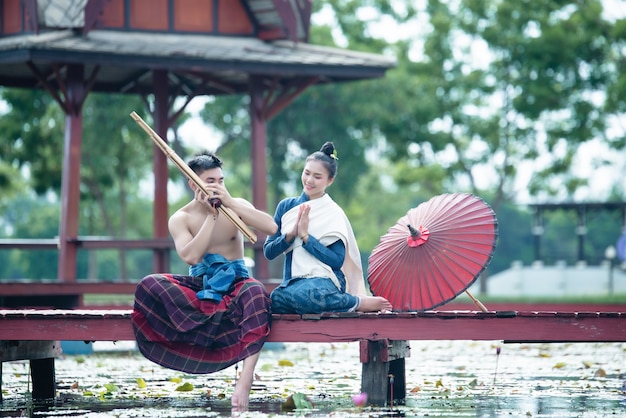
{"x": 322, "y": 269}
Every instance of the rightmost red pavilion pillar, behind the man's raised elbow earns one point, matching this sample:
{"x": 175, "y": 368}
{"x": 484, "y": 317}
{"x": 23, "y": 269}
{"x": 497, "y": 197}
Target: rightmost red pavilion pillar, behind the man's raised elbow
{"x": 258, "y": 123}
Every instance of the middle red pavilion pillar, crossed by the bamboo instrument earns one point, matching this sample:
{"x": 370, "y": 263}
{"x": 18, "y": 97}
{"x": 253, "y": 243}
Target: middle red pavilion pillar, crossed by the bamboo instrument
{"x": 160, "y": 263}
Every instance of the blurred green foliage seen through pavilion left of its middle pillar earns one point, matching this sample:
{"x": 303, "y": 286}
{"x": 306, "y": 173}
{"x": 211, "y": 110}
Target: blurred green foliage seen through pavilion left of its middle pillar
{"x": 115, "y": 160}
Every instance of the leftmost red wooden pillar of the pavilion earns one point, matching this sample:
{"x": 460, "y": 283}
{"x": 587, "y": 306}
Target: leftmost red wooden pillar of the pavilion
{"x": 70, "y": 186}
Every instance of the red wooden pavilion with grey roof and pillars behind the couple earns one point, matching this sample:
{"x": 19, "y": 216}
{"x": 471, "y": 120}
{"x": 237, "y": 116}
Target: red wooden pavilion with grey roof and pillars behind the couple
{"x": 163, "y": 50}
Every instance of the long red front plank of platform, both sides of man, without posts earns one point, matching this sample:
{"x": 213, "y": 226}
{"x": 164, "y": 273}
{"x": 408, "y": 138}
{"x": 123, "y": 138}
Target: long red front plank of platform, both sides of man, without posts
{"x": 93, "y": 325}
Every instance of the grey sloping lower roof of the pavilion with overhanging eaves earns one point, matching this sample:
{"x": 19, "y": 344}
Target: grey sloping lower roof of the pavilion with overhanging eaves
{"x": 122, "y": 61}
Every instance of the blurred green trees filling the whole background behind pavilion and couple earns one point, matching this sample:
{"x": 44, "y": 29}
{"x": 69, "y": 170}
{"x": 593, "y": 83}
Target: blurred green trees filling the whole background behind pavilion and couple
{"x": 486, "y": 95}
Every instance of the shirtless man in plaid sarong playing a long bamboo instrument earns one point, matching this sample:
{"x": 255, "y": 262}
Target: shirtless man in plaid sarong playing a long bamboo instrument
{"x": 217, "y": 315}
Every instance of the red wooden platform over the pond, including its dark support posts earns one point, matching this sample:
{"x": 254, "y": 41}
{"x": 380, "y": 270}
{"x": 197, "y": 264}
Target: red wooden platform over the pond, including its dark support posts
{"x": 383, "y": 337}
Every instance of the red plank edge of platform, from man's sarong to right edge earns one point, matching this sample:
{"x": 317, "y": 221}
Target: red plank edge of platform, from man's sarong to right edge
{"x": 448, "y": 326}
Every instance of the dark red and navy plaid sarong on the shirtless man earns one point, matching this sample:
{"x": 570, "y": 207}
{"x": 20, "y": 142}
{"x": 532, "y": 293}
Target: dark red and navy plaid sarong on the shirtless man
{"x": 176, "y": 330}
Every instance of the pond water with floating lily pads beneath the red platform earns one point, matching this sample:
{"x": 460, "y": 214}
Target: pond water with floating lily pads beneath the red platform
{"x": 444, "y": 379}
